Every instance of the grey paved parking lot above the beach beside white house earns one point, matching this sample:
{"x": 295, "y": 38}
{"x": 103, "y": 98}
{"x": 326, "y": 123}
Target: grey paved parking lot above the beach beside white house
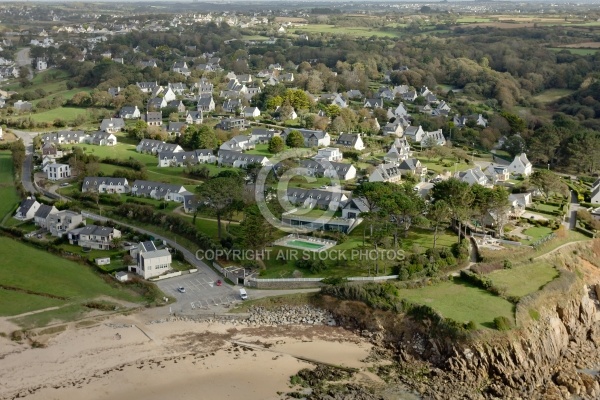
{"x": 201, "y": 293}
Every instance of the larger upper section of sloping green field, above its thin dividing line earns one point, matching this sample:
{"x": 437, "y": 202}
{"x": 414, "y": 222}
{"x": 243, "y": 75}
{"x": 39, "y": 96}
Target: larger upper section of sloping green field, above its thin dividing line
{"x": 46, "y": 273}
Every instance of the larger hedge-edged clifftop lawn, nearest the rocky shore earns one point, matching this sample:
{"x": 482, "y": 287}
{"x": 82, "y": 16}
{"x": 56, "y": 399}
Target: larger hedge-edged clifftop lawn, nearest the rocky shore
{"x": 462, "y": 302}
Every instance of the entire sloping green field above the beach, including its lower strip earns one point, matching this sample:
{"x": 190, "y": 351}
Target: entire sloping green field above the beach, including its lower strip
{"x": 49, "y": 275}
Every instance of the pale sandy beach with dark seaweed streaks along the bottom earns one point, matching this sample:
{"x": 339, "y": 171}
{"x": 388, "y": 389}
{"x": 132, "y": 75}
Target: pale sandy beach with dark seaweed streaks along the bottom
{"x": 125, "y": 358}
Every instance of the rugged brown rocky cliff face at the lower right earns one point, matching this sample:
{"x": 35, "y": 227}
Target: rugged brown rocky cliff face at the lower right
{"x": 559, "y": 335}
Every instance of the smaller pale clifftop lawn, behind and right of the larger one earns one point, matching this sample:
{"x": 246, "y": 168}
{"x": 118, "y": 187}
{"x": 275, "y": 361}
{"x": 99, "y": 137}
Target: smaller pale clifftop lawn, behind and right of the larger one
{"x": 524, "y": 279}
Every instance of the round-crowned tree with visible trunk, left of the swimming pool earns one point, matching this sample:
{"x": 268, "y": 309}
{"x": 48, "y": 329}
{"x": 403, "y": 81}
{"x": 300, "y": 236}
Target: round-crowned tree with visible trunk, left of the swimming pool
{"x": 220, "y": 196}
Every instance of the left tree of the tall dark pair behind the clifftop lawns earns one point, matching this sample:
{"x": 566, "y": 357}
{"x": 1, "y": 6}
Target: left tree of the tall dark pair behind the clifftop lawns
{"x": 458, "y": 196}
